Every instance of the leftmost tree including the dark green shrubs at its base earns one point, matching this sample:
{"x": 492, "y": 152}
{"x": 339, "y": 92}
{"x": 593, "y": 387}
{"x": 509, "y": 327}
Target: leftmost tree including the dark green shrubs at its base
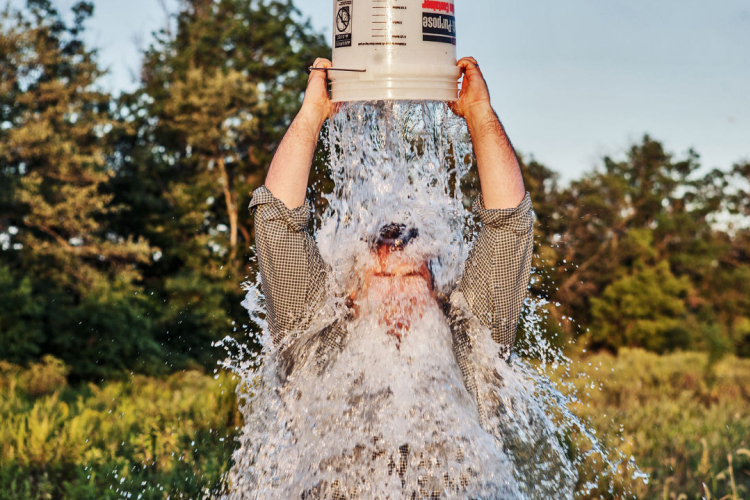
{"x": 67, "y": 278}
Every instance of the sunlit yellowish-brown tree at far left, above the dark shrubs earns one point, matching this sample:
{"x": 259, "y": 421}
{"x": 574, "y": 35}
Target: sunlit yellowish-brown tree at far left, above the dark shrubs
{"x": 53, "y": 152}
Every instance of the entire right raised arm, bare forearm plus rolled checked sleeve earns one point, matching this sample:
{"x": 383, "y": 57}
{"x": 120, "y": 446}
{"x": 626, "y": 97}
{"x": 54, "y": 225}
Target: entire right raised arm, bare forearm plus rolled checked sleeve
{"x": 496, "y": 274}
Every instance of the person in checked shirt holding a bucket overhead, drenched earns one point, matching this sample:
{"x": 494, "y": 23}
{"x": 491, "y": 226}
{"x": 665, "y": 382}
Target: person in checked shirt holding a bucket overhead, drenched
{"x": 396, "y": 287}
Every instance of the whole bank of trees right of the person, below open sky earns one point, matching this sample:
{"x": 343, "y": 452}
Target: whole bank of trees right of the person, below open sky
{"x": 637, "y": 254}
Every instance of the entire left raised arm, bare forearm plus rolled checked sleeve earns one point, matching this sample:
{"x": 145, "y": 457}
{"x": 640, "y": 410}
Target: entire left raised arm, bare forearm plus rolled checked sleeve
{"x": 293, "y": 273}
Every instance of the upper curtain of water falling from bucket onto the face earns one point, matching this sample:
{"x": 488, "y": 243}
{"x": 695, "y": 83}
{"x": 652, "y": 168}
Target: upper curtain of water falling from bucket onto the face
{"x": 396, "y": 162}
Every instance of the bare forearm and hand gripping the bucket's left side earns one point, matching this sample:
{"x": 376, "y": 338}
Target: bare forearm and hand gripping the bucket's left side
{"x": 290, "y": 169}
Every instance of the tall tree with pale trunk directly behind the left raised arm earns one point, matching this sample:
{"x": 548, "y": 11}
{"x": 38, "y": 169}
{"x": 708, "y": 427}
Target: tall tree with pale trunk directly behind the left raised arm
{"x": 195, "y": 140}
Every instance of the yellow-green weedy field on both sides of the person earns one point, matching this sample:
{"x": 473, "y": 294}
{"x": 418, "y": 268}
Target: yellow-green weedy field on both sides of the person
{"x": 687, "y": 423}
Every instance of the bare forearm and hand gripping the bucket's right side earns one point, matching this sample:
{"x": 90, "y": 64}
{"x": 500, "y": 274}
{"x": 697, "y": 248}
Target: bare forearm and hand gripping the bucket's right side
{"x": 499, "y": 171}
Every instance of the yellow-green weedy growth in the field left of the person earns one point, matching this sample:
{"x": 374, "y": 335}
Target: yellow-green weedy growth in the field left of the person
{"x": 118, "y": 433}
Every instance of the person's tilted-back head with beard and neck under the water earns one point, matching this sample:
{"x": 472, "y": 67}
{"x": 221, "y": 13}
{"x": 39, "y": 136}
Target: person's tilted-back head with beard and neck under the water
{"x": 398, "y": 284}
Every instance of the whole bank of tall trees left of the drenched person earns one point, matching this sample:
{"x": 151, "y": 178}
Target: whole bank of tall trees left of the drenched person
{"x": 123, "y": 225}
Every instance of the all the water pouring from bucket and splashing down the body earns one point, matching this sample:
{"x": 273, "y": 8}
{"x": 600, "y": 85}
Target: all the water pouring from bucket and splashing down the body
{"x": 389, "y": 416}
